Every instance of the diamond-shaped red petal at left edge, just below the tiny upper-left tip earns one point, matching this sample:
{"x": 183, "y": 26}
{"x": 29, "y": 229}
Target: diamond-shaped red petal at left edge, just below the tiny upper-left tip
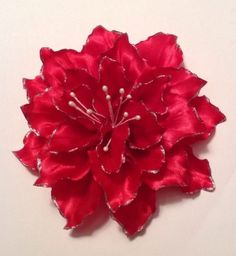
{"x": 42, "y": 115}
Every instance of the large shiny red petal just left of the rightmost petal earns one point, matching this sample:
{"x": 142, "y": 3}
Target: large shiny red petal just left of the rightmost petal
{"x": 181, "y": 122}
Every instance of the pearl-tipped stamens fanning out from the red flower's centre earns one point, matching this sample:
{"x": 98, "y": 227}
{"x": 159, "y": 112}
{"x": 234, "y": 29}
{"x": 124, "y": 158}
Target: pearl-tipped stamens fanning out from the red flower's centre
{"x": 98, "y": 118}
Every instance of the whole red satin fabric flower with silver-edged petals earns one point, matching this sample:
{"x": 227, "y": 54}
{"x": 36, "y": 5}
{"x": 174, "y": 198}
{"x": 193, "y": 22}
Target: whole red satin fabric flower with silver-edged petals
{"x": 116, "y": 121}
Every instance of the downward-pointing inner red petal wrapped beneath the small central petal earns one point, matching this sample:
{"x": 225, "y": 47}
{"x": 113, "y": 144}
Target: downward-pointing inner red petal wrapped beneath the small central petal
{"x": 119, "y": 188}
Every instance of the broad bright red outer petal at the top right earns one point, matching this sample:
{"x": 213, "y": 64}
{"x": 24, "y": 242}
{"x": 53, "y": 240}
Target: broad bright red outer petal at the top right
{"x": 161, "y": 50}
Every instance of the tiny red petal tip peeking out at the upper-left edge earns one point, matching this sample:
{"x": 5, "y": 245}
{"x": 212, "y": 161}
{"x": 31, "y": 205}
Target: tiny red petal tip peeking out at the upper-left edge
{"x": 34, "y": 86}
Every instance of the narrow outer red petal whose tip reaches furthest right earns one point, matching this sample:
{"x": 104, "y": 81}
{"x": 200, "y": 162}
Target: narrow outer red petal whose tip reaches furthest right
{"x": 209, "y": 114}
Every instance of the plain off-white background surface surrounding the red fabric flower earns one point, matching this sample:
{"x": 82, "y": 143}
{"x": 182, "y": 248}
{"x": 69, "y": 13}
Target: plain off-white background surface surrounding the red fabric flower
{"x": 206, "y": 29}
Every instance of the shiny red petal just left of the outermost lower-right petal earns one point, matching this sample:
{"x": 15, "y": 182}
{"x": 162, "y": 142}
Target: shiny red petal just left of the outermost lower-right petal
{"x": 173, "y": 173}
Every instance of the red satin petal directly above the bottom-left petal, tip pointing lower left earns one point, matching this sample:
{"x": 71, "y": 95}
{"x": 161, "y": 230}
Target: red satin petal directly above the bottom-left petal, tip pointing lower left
{"x": 67, "y": 165}
